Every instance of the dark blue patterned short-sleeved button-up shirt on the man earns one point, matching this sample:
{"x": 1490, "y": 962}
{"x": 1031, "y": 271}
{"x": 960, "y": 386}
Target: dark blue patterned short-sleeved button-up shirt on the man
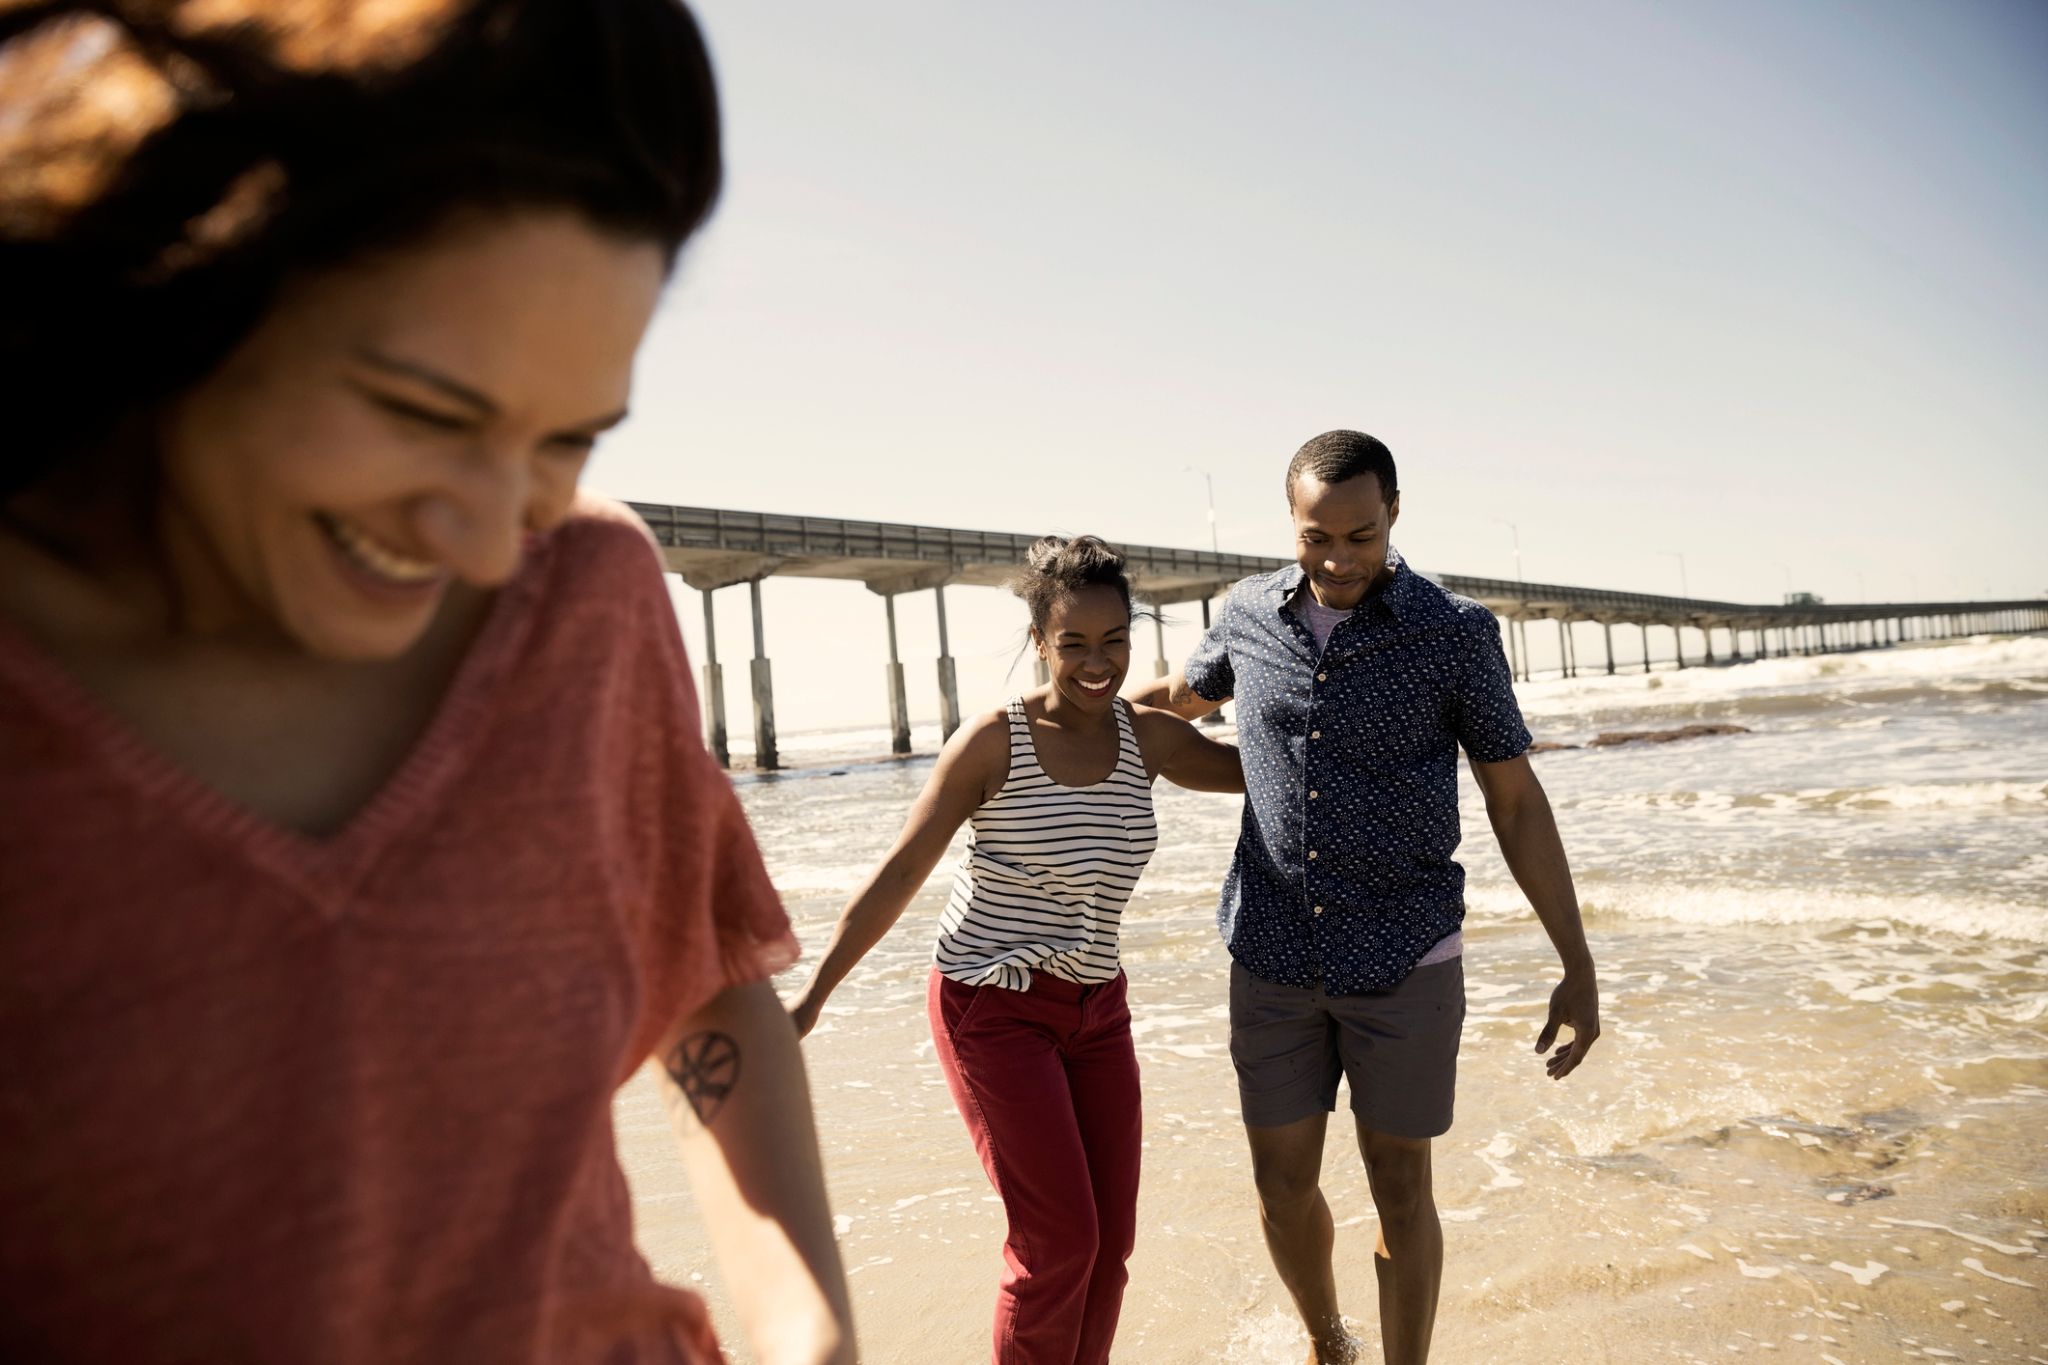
{"x": 1345, "y": 865}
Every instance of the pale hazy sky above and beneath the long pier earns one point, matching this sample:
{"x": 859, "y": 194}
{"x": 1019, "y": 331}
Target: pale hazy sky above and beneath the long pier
{"x": 1762, "y": 285}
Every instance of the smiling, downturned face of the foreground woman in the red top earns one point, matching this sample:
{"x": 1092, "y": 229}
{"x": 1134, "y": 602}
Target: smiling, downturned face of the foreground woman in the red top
{"x": 398, "y": 427}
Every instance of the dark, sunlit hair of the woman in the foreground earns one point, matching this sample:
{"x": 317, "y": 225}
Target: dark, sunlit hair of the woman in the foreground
{"x": 167, "y": 169}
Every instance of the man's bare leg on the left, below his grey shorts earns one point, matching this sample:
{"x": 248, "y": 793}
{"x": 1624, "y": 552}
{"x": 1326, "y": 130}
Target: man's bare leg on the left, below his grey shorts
{"x": 1287, "y": 1165}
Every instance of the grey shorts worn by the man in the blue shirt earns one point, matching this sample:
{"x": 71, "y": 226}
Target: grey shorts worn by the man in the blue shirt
{"x": 1400, "y": 1051}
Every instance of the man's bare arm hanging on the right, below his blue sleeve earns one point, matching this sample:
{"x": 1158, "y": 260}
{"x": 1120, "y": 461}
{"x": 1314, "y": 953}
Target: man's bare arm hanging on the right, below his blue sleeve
{"x": 1523, "y": 822}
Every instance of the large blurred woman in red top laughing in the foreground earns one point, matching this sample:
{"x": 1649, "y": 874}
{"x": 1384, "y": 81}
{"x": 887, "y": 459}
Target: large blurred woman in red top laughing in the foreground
{"x": 355, "y": 832}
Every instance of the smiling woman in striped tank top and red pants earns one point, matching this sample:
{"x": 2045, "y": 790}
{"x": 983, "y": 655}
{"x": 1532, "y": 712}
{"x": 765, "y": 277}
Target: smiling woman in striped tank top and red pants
{"x": 1027, "y": 996}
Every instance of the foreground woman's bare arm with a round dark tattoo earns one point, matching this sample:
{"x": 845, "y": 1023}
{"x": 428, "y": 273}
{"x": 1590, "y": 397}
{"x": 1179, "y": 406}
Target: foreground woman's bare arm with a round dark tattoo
{"x": 742, "y": 1114}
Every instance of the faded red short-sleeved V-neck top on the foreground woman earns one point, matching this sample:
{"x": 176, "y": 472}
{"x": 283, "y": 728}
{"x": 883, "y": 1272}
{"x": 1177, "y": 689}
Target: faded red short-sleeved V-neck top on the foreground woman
{"x": 275, "y": 1098}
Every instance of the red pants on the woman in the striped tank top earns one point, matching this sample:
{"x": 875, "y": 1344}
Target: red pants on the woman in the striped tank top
{"x": 1050, "y": 1088}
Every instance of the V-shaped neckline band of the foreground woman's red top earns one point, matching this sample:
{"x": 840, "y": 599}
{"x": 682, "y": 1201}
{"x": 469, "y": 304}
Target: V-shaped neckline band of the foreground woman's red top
{"x": 323, "y": 869}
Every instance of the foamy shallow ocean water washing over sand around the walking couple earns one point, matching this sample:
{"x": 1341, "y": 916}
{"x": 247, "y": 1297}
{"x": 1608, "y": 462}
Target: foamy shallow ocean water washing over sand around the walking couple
{"x": 1816, "y": 1127}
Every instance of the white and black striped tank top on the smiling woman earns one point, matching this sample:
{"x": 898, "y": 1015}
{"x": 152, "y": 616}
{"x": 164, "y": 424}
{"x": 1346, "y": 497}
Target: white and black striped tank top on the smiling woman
{"x": 1048, "y": 871}
